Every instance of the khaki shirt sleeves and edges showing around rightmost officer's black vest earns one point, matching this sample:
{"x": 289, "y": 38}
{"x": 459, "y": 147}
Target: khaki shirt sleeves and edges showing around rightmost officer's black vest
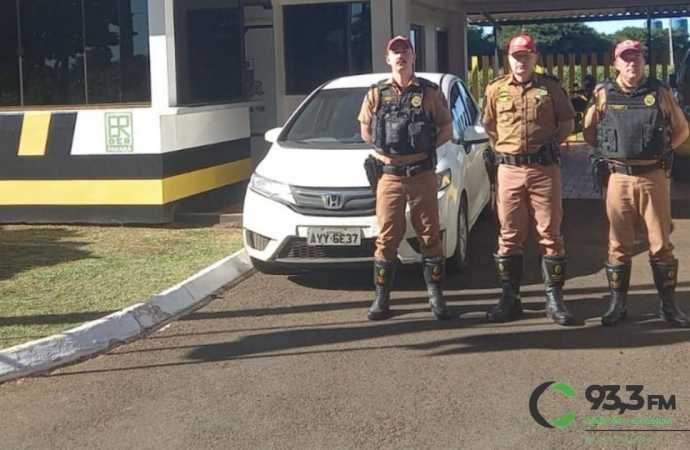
{"x": 669, "y": 109}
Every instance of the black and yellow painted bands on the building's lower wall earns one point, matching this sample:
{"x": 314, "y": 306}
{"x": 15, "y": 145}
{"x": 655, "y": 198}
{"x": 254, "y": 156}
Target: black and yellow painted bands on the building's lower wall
{"x": 41, "y": 181}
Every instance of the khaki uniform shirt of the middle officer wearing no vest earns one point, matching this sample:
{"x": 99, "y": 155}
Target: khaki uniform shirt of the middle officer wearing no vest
{"x": 525, "y": 116}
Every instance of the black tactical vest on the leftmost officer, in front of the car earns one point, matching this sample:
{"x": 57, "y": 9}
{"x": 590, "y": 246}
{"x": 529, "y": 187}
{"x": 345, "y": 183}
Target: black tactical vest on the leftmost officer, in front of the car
{"x": 399, "y": 125}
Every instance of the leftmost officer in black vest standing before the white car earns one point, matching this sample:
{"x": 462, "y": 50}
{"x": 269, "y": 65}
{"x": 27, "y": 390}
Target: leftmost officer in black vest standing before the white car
{"x": 406, "y": 118}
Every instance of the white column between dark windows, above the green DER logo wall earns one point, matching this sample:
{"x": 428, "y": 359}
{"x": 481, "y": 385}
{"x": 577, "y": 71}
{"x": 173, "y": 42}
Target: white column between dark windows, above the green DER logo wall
{"x": 162, "y": 54}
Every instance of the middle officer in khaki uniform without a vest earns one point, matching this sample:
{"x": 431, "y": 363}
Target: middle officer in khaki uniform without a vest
{"x": 527, "y": 115}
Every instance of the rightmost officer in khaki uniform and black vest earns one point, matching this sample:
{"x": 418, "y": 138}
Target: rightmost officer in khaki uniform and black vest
{"x": 636, "y": 123}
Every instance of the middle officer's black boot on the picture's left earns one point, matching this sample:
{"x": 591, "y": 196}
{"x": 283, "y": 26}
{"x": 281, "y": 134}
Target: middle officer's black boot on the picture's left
{"x": 510, "y": 273}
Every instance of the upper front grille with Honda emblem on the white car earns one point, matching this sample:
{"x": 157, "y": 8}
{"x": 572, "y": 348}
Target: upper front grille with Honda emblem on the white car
{"x": 334, "y": 202}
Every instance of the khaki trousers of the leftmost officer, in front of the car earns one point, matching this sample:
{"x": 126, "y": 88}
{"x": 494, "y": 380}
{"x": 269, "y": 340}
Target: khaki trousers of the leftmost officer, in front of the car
{"x": 392, "y": 196}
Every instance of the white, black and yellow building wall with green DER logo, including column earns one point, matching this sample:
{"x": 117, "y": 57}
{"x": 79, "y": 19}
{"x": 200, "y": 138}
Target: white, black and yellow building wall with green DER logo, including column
{"x": 124, "y": 164}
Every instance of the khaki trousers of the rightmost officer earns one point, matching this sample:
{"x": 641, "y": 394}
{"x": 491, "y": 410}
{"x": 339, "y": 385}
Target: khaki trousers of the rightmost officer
{"x": 633, "y": 197}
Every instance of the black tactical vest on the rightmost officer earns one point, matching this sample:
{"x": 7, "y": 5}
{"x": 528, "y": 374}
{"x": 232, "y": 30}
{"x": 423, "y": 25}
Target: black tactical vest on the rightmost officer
{"x": 633, "y": 126}
